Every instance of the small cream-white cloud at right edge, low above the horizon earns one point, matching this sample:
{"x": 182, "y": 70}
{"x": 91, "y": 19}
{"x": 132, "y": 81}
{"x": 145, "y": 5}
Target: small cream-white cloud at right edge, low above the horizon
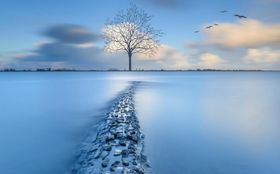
{"x": 262, "y": 55}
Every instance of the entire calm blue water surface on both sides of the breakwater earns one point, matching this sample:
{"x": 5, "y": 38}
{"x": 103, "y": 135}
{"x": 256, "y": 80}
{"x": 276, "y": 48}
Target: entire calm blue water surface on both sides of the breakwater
{"x": 194, "y": 122}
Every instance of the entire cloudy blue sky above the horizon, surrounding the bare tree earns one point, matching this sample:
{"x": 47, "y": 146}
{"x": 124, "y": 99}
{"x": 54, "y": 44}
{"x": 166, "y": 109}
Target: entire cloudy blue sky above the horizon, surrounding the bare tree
{"x": 35, "y": 34}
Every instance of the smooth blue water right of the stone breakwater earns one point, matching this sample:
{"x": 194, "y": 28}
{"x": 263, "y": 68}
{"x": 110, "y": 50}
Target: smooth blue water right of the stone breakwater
{"x": 212, "y": 123}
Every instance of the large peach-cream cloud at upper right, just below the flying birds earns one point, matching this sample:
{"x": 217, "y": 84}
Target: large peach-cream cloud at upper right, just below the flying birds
{"x": 246, "y": 33}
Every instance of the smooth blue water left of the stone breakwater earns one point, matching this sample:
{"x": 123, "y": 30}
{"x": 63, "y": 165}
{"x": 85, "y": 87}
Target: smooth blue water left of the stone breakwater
{"x": 44, "y": 117}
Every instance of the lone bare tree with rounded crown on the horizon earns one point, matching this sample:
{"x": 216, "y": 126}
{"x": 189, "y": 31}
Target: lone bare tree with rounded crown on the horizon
{"x": 131, "y": 31}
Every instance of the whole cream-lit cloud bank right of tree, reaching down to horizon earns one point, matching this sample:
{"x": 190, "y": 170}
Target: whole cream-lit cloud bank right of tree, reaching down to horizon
{"x": 246, "y": 44}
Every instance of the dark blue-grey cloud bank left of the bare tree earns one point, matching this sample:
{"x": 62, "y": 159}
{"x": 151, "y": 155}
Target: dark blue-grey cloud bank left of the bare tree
{"x": 72, "y": 46}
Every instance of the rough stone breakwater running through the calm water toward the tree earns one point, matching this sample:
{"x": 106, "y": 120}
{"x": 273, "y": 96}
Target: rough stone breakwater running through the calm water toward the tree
{"x": 119, "y": 144}
